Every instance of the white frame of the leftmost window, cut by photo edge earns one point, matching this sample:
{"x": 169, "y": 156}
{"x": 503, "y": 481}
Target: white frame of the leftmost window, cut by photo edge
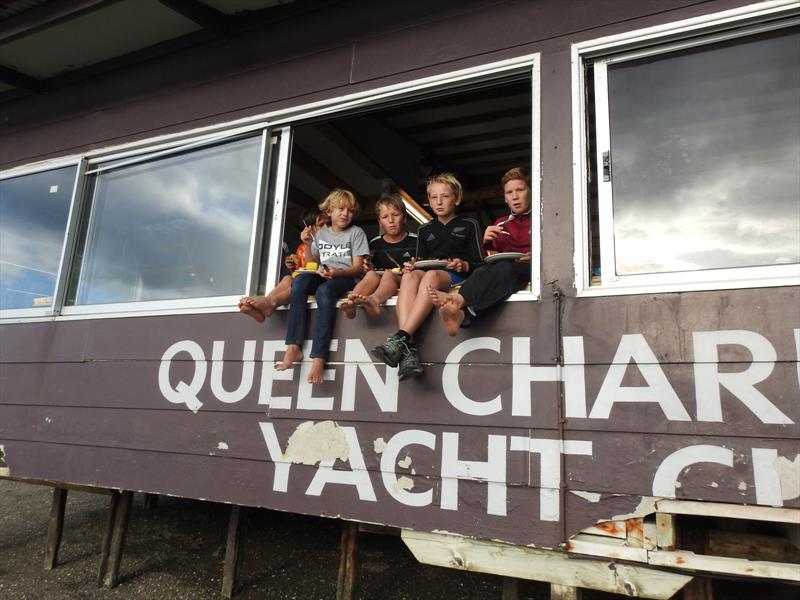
{"x": 43, "y": 167}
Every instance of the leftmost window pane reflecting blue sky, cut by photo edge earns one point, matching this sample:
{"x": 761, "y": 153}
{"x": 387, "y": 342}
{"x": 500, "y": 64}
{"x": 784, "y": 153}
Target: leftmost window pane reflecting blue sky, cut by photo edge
{"x": 33, "y": 221}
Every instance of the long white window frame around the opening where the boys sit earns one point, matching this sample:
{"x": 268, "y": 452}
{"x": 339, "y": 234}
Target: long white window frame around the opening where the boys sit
{"x": 283, "y": 121}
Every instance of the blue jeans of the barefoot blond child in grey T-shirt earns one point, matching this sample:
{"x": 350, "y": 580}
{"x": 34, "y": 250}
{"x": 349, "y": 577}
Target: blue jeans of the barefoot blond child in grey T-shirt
{"x": 327, "y": 291}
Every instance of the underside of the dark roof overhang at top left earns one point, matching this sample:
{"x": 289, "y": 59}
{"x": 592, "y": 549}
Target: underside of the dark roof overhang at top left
{"x": 44, "y": 43}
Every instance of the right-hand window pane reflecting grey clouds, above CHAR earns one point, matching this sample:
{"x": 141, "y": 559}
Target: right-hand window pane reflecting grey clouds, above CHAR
{"x": 705, "y": 145}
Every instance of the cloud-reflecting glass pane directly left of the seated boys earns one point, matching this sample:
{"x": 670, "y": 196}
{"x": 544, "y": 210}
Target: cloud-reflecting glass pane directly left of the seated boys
{"x": 175, "y": 227}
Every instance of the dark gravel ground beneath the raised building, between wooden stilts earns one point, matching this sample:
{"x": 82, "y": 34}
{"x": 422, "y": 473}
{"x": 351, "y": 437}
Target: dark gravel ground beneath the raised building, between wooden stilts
{"x": 176, "y": 551}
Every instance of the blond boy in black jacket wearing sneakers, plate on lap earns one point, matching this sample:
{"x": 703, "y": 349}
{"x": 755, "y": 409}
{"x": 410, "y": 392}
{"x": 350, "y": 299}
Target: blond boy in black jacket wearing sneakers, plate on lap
{"x": 456, "y": 240}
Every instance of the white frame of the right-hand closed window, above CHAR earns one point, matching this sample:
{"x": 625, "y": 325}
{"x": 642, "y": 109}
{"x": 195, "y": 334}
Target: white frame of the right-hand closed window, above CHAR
{"x": 605, "y": 51}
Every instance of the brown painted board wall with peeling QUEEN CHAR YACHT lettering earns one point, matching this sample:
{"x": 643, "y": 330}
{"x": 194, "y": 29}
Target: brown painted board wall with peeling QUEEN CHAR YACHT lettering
{"x": 80, "y": 401}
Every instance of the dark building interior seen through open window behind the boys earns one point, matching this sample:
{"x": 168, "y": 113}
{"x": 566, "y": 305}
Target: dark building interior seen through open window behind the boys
{"x": 477, "y": 134}
